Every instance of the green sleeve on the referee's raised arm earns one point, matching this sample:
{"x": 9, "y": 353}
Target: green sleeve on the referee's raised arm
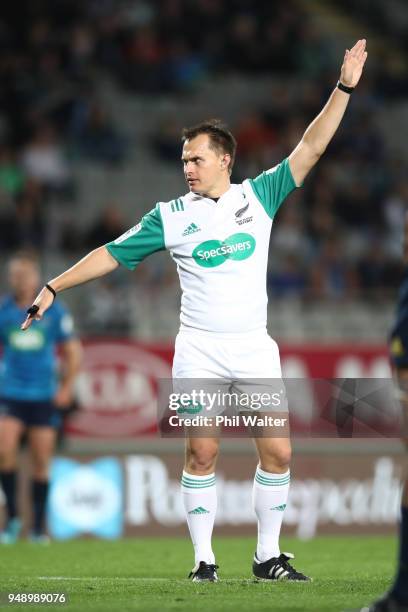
{"x": 273, "y": 186}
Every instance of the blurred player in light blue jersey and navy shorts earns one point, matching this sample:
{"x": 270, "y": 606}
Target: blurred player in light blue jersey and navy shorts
{"x": 31, "y": 392}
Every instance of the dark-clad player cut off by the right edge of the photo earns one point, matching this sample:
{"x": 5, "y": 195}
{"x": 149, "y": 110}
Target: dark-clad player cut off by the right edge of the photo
{"x": 396, "y": 600}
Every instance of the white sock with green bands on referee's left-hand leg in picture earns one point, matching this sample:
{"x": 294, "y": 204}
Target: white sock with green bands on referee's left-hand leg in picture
{"x": 200, "y": 502}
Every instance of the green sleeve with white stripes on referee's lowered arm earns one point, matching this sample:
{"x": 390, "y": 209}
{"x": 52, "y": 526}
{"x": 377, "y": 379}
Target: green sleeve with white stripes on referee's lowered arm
{"x": 142, "y": 240}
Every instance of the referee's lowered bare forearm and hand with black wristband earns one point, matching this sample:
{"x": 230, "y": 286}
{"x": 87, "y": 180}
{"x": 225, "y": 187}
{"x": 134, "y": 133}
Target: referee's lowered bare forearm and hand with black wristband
{"x": 97, "y": 263}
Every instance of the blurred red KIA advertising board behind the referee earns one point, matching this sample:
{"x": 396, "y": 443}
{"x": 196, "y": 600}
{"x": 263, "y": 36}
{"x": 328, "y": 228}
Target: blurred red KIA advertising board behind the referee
{"x": 117, "y": 387}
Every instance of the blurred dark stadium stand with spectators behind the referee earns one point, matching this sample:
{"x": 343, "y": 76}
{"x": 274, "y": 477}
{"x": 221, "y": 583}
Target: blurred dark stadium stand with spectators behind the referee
{"x": 93, "y": 98}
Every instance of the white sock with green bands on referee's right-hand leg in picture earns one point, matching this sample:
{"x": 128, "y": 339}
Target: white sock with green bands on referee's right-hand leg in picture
{"x": 270, "y": 494}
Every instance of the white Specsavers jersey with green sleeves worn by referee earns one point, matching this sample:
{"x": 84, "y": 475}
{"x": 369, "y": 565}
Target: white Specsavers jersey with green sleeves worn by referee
{"x": 220, "y": 248}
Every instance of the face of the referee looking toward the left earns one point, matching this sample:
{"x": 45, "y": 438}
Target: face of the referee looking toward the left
{"x": 205, "y": 168}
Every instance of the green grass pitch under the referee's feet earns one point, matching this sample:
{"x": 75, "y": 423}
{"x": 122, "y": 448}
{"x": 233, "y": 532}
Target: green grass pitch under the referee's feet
{"x": 150, "y": 575}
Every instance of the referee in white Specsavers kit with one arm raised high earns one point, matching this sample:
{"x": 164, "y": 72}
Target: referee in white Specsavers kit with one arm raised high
{"x": 218, "y": 235}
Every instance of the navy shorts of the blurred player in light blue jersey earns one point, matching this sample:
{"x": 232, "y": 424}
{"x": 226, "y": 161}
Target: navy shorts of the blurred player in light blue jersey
{"x": 32, "y": 414}
